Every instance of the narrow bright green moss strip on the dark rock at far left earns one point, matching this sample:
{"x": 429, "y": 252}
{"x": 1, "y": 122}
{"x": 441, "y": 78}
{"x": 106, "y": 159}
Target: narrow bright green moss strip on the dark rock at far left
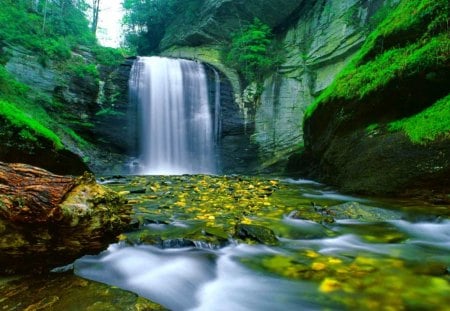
{"x": 31, "y": 127}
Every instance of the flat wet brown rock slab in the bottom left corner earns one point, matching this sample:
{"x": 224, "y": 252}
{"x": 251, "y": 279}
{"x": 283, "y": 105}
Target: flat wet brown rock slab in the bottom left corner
{"x": 68, "y": 292}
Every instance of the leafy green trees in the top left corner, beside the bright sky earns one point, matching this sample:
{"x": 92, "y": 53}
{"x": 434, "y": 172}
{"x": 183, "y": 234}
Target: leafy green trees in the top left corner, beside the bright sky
{"x": 51, "y": 32}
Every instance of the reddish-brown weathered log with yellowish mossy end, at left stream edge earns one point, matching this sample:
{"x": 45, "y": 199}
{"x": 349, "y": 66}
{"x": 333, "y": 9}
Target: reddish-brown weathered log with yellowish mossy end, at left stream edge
{"x": 47, "y": 220}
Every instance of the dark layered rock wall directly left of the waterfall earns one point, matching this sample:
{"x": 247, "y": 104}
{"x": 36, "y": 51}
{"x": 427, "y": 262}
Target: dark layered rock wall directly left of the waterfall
{"x": 88, "y": 112}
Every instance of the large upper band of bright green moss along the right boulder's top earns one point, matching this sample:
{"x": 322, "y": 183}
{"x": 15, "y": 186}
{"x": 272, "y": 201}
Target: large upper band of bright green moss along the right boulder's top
{"x": 412, "y": 38}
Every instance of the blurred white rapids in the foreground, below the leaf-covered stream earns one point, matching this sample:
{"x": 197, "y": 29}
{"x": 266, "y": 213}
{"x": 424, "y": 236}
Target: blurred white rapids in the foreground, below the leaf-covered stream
{"x": 194, "y": 279}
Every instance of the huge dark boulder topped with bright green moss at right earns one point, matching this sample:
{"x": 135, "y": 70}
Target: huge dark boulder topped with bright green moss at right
{"x": 382, "y": 126}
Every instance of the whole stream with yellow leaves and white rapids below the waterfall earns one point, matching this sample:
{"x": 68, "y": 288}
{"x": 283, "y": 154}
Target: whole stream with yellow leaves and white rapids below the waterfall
{"x": 332, "y": 252}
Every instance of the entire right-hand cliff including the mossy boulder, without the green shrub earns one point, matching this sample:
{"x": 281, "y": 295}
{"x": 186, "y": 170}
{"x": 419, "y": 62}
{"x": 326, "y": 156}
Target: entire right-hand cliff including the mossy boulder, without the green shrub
{"x": 374, "y": 75}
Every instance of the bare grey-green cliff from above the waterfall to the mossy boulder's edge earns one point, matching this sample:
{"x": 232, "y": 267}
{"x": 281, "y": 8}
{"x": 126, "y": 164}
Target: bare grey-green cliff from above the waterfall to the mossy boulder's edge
{"x": 319, "y": 38}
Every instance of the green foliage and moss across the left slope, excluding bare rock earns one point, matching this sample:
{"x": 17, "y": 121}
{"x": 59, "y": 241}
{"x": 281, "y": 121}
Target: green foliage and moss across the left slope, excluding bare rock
{"x": 57, "y": 33}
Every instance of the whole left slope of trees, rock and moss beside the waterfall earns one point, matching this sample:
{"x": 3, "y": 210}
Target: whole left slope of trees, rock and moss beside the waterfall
{"x": 50, "y": 71}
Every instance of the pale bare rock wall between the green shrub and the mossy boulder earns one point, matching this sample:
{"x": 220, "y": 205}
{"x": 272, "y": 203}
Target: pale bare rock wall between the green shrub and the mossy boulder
{"x": 324, "y": 38}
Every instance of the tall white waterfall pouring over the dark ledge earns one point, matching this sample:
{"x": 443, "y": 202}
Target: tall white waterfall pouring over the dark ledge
{"x": 175, "y": 123}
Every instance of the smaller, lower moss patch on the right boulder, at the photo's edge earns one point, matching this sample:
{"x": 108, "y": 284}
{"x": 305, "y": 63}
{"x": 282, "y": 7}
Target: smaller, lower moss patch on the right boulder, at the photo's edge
{"x": 427, "y": 125}
